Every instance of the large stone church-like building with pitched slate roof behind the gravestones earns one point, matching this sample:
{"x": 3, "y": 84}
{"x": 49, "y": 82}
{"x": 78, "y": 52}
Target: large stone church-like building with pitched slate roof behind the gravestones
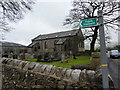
{"x": 56, "y": 45}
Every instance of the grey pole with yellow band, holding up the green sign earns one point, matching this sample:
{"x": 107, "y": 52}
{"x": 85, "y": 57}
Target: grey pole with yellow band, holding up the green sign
{"x": 104, "y": 64}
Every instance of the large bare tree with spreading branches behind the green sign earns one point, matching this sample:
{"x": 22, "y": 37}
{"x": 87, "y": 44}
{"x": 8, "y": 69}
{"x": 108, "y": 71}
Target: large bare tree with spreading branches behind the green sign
{"x": 88, "y": 9}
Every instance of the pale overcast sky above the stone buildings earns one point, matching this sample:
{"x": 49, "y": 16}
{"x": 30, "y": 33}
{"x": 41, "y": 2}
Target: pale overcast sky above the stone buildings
{"x": 47, "y": 16}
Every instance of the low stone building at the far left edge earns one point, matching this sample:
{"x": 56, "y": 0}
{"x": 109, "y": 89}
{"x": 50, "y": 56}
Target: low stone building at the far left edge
{"x": 11, "y": 50}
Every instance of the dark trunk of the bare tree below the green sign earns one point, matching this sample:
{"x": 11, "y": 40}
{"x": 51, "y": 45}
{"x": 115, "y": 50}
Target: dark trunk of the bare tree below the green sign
{"x": 94, "y": 37}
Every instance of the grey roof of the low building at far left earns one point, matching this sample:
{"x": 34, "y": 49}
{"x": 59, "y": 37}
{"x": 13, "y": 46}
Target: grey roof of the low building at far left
{"x": 11, "y": 44}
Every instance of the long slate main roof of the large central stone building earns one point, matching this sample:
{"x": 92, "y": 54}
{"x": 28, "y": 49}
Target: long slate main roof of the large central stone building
{"x": 56, "y": 35}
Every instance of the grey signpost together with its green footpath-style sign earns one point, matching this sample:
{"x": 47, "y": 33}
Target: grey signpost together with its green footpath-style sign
{"x": 91, "y": 22}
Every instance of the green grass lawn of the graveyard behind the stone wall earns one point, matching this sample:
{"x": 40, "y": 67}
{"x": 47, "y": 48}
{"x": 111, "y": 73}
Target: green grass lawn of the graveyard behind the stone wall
{"x": 81, "y": 60}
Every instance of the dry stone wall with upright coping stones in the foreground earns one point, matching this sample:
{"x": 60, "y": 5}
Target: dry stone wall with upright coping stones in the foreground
{"x": 23, "y": 74}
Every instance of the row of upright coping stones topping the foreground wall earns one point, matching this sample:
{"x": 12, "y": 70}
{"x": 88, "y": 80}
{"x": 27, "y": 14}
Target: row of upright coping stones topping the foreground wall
{"x": 75, "y": 76}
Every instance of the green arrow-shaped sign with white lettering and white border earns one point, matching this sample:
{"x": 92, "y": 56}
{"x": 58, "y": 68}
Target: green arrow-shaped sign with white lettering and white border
{"x": 88, "y": 22}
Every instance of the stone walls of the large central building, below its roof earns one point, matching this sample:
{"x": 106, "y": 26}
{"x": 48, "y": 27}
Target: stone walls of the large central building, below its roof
{"x": 72, "y": 44}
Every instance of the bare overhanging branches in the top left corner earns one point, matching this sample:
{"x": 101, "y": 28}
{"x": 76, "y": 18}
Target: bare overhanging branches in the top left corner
{"x": 12, "y": 11}
